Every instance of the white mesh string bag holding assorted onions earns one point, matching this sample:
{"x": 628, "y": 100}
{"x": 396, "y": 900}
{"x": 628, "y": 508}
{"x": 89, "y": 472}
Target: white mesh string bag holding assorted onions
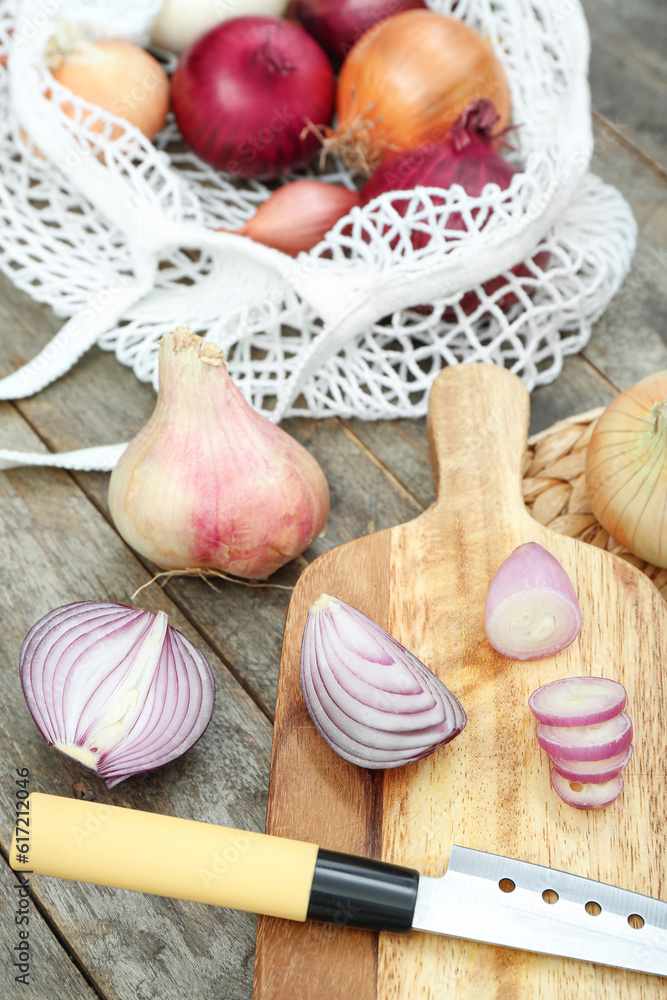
{"x": 120, "y": 236}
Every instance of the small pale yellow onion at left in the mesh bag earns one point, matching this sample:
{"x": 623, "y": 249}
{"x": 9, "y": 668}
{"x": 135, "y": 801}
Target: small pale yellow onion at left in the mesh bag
{"x": 117, "y": 76}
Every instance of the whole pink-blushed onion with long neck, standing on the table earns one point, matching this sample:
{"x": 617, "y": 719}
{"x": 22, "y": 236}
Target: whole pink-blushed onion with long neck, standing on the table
{"x": 210, "y": 483}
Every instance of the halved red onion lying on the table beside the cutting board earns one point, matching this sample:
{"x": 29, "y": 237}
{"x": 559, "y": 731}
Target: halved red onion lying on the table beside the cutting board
{"x": 115, "y": 688}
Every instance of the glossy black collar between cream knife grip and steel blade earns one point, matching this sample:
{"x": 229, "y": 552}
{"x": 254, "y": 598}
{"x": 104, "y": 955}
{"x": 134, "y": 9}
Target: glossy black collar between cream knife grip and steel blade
{"x": 359, "y": 892}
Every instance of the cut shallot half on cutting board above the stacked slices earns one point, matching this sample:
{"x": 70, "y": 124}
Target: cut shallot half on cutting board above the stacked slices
{"x": 531, "y": 607}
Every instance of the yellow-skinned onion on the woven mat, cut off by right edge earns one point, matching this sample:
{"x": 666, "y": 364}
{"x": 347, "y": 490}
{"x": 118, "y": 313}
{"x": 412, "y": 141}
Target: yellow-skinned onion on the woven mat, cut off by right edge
{"x": 626, "y": 469}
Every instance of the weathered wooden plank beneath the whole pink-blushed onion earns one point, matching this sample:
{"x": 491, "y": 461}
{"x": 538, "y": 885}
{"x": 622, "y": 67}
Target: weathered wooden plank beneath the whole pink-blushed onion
{"x": 101, "y": 401}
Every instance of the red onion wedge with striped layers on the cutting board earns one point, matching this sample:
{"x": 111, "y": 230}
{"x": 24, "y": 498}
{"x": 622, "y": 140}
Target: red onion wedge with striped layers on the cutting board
{"x": 371, "y": 699}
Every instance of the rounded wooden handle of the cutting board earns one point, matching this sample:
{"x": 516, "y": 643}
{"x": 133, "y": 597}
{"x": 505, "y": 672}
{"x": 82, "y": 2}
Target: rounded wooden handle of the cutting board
{"x": 478, "y": 426}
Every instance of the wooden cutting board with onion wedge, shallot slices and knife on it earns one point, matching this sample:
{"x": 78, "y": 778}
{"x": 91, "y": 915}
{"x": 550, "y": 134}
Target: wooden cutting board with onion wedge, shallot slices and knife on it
{"x": 426, "y": 582}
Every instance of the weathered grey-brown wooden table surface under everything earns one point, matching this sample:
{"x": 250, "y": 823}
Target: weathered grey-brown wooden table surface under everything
{"x": 58, "y": 545}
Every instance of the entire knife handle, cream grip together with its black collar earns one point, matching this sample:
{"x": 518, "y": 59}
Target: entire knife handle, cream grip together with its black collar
{"x": 186, "y": 859}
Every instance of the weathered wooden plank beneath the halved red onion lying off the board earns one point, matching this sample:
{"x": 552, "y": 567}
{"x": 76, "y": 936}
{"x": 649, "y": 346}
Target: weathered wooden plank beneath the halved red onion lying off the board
{"x": 56, "y": 548}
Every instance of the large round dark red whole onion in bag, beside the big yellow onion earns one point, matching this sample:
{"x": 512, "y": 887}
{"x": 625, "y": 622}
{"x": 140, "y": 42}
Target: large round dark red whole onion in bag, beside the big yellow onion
{"x": 245, "y": 91}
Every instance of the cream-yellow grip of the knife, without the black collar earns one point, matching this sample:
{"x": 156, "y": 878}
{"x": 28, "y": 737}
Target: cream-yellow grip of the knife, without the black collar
{"x": 164, "y": 855}
